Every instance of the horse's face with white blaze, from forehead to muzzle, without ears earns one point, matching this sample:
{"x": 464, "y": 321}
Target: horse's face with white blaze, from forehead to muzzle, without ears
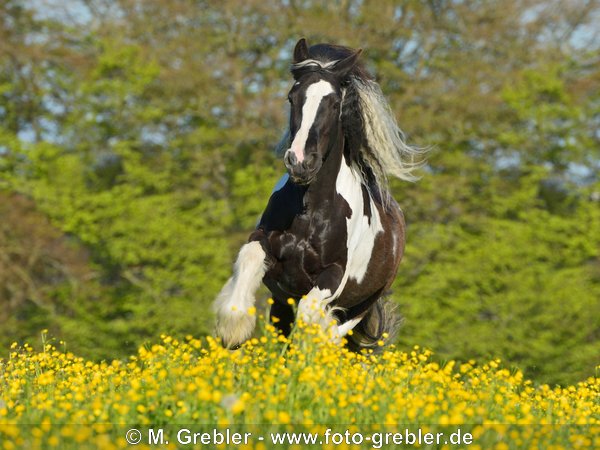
{"x": 315, "y": 102}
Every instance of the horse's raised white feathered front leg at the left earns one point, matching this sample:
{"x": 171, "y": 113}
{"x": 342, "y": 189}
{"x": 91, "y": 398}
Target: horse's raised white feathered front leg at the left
{"x": 235, "y": 320}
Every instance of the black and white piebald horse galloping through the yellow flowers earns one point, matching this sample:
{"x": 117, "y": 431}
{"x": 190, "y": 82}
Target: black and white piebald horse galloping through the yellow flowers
{"x": 331, "y": 236}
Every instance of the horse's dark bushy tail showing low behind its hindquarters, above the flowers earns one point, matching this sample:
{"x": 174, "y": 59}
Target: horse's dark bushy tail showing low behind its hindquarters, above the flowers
{"x": 381, "y": 323}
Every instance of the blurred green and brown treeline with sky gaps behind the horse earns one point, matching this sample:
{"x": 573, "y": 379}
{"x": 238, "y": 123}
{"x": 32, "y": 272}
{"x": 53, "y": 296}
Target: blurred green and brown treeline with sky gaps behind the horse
{"x": 135, "y": 158}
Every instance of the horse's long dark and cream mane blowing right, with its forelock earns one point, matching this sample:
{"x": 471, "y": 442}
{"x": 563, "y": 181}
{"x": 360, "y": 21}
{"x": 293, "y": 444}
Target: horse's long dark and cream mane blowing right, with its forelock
{"x": 375, "y": 144}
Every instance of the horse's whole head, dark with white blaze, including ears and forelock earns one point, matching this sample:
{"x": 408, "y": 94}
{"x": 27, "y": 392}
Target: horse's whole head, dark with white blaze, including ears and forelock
{"x": 315, "y": 102}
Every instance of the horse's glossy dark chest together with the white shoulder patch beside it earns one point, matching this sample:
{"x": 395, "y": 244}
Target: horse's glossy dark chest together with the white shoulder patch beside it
{"x": 341, "y": 233}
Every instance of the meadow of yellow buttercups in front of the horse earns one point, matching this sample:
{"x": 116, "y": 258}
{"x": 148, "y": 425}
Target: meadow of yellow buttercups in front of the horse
{"x": 51, "y": 398}
